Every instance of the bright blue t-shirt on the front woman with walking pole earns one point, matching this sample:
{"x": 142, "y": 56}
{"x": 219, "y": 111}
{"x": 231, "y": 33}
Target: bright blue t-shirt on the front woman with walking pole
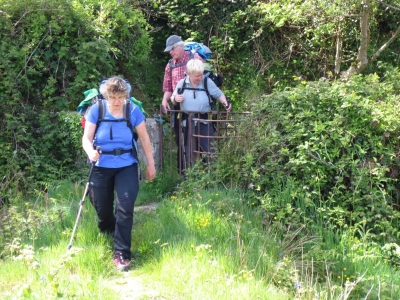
{"x": 122, "y": 137}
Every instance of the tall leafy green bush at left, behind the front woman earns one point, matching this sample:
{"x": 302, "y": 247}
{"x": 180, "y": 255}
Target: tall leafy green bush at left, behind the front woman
{"x": 52, "y": 51}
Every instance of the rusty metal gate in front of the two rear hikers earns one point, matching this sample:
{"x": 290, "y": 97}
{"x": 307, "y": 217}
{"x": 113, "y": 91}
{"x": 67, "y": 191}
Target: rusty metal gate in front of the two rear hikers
{"x": 193, "y": 136}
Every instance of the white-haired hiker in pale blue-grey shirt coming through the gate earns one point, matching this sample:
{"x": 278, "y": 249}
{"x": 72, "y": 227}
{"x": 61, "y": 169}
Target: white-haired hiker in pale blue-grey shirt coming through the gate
{"x": 194, "y": 99}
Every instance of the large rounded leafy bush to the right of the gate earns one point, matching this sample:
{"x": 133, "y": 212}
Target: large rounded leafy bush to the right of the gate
{"x": 335, "y": 144}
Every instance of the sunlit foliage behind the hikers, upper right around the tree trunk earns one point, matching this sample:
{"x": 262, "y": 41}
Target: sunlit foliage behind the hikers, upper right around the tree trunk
{"x": 261, "y": 45}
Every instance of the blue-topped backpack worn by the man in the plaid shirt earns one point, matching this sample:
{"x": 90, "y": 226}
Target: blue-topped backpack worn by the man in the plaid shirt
{"x": 205, "y": 53}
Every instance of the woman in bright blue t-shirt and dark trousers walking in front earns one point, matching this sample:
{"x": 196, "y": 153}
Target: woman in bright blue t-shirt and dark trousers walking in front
{"x": 116, "y": 168}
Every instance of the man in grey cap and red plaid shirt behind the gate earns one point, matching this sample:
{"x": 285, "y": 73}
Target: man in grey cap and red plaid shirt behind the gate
{"x": 174, "y": 72}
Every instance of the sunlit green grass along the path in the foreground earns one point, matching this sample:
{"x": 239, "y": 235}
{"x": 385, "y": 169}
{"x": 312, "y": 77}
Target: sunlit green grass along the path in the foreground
{"x": 203, "y": 244}
